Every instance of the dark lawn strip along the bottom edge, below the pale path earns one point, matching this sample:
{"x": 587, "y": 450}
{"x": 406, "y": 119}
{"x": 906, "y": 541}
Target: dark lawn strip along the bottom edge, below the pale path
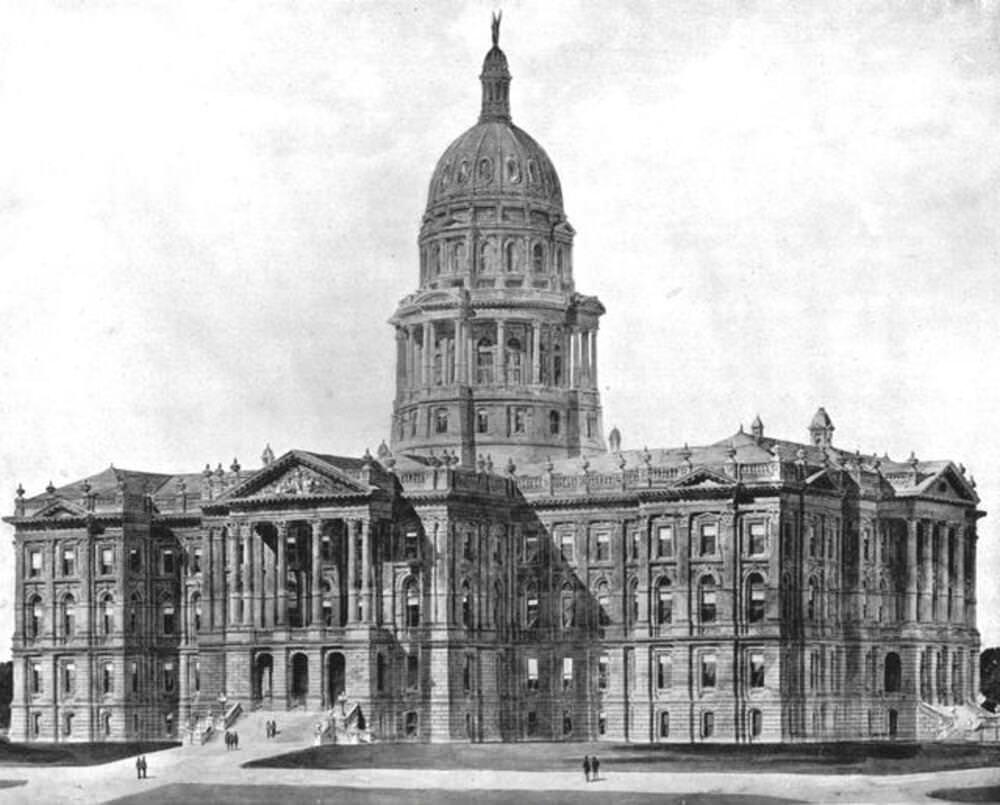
{"x": 184, "y": 793}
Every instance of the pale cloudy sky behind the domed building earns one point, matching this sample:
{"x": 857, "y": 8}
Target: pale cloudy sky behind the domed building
{"x": 208, "y": 211}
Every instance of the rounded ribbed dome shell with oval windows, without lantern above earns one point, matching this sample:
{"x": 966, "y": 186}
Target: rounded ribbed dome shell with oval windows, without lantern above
{"x": 495, "y": 159}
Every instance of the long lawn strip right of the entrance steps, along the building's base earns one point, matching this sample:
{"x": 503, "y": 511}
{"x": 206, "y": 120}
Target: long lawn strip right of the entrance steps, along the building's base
{"x": 827, "y": 758}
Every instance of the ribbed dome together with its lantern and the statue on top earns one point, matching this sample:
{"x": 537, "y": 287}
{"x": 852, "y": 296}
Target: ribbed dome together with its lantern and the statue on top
{"x": 495, "y": 159}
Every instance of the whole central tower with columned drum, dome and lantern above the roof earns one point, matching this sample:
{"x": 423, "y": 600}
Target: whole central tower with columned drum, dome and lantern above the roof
{"x": 497, "y": 353}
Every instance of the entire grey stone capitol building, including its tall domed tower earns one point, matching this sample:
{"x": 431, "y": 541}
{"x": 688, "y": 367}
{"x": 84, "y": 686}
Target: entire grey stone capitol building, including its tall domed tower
{"x": 500, "y": 573}
